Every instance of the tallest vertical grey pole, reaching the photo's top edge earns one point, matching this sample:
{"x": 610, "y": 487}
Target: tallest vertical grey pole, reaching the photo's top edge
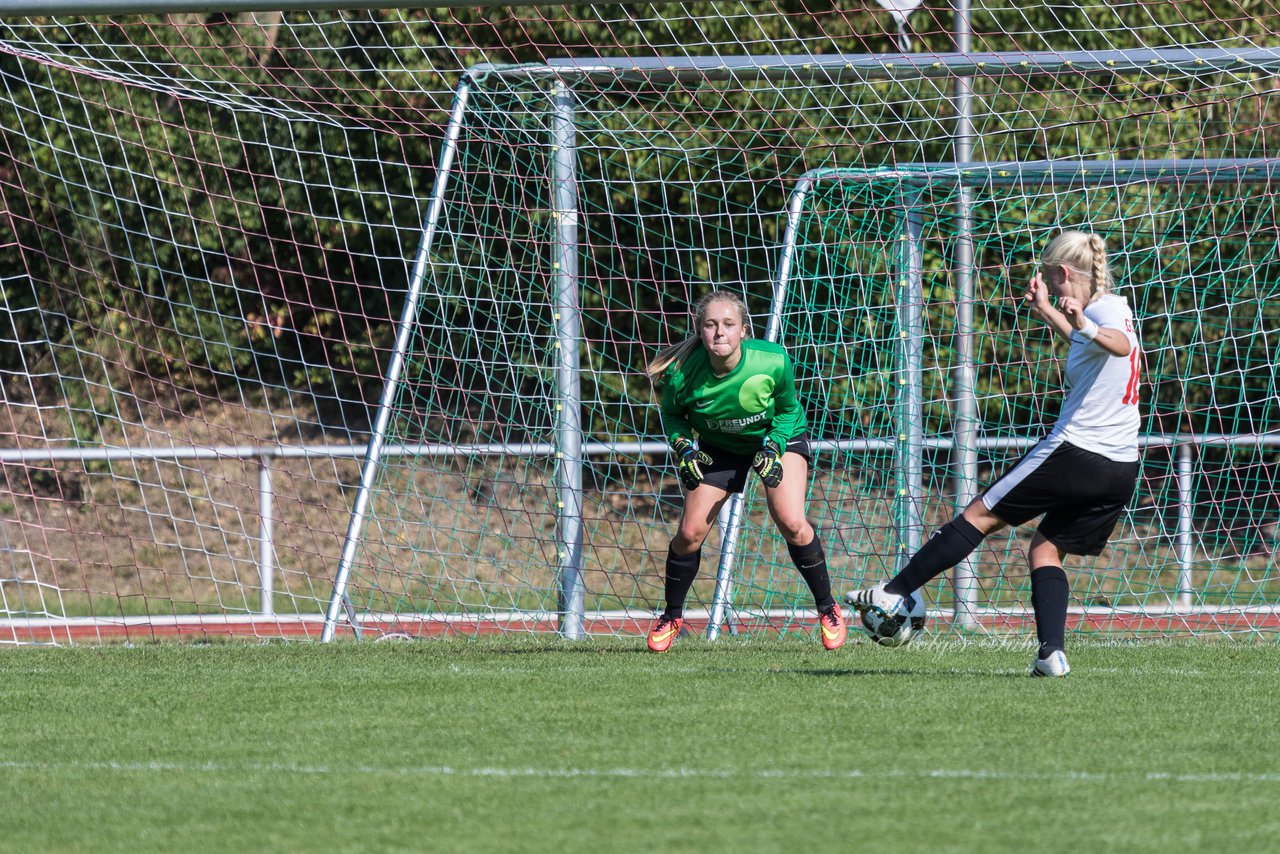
{"x": 966, "y": 458}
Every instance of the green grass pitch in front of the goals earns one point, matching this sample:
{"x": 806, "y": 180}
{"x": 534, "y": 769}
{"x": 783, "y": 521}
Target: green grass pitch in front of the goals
{"x": 533, "y": 746}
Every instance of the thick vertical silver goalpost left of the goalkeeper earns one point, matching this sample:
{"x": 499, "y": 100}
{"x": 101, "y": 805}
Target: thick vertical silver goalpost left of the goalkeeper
{"x": 569, "y": 430}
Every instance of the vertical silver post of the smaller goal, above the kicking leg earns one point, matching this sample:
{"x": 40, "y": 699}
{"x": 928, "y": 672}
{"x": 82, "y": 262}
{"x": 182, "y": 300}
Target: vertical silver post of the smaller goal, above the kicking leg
{"x": 909, "y": 500}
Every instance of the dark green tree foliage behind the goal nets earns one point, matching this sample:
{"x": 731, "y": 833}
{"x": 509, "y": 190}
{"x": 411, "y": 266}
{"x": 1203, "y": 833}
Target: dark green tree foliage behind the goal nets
{"x": 202, "y": 204}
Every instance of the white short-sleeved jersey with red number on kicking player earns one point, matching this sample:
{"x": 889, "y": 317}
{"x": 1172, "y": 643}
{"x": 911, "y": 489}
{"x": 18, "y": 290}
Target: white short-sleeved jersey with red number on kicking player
{"x": 1100, "y": 413}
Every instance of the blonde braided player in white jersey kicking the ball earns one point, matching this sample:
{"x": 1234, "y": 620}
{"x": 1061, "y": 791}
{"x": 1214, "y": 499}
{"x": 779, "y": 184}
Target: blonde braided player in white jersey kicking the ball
{"x": 1080, "y": 477}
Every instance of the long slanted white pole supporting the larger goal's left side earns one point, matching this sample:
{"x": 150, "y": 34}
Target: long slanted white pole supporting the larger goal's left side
{"x": 408, "y": 322}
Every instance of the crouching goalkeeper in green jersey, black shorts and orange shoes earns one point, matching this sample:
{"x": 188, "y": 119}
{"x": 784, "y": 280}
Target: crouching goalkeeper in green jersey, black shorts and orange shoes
{"x": 729, "y": 405}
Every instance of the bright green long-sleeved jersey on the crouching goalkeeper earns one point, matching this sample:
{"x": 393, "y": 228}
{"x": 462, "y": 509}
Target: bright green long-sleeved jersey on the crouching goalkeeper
{"x": 734, "y": 413}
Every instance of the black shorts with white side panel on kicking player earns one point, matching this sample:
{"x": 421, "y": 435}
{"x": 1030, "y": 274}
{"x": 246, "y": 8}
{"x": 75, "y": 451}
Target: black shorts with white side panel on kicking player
{"x": 1080, "y": 492}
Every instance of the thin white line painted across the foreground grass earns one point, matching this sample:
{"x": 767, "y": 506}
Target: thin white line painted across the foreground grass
{"x": 642, "y": 774}
